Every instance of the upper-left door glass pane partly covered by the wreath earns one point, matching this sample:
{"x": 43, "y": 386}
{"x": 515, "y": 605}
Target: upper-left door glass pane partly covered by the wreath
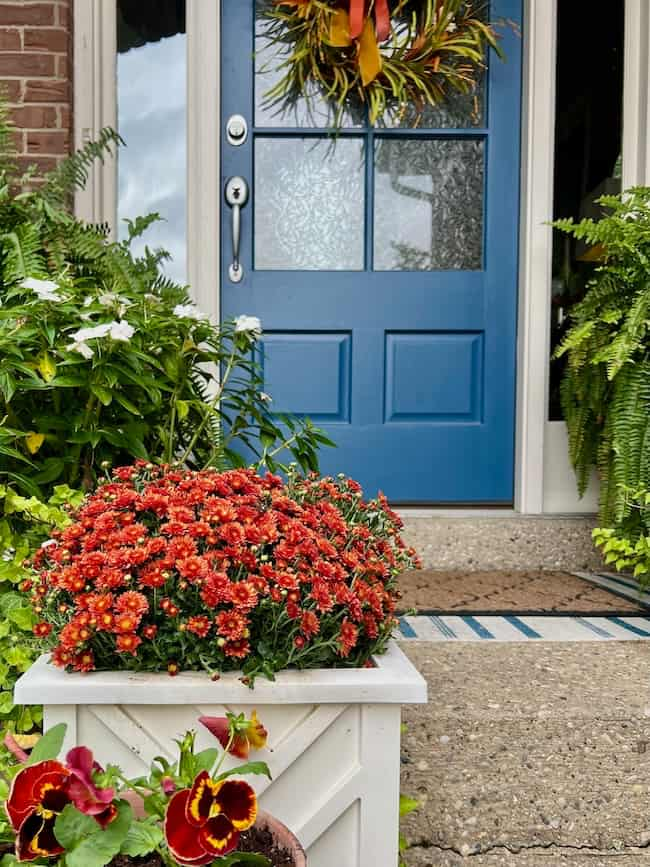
{"x": 305, "y": 113}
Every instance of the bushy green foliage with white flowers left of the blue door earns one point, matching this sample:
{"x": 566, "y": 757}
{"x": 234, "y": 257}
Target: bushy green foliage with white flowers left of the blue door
{"x": 105, "y": 359}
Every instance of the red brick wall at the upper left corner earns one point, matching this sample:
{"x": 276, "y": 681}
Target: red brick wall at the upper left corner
{"x": 36, "y": 74}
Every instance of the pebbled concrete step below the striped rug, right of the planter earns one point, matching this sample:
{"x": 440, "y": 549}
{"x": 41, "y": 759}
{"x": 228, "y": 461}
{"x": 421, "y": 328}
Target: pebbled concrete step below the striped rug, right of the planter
{"x": 530, "y": 756}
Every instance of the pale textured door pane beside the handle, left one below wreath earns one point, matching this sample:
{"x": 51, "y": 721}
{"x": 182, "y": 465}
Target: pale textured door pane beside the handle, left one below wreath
{"x": 309, "y": 204}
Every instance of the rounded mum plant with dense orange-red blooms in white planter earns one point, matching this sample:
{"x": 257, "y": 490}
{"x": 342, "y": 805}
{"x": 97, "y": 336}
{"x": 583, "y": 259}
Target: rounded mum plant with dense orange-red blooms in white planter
{"x": 168, "y": 568}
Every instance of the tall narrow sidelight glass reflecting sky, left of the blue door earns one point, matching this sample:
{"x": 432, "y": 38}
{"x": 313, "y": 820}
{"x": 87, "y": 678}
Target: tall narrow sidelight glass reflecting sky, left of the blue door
{"x": 151, "y": 92}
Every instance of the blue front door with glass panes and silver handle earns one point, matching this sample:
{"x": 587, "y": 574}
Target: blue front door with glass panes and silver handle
{"x": 383, "y": 265}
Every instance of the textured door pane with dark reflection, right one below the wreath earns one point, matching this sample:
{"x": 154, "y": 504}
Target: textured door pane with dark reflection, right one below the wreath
{"x": 428, "y": 205}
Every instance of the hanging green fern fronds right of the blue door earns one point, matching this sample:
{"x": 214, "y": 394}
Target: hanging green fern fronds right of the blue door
{"x": 606, "y": 388}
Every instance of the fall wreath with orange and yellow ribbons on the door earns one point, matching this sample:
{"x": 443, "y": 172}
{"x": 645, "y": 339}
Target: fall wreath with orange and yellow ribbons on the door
{"x": 383, "y": 54}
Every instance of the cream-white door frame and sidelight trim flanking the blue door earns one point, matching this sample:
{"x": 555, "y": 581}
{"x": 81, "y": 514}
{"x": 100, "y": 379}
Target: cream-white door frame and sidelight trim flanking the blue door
{"x": 543, "y": 478}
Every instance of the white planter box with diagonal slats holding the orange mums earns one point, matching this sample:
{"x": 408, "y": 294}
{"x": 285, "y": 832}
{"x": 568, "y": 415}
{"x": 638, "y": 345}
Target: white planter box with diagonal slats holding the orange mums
{"x": 334, "y": 740}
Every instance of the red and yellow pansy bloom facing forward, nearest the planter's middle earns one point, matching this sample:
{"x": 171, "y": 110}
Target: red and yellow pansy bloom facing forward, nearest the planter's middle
{"x": 204, "y": 822}
